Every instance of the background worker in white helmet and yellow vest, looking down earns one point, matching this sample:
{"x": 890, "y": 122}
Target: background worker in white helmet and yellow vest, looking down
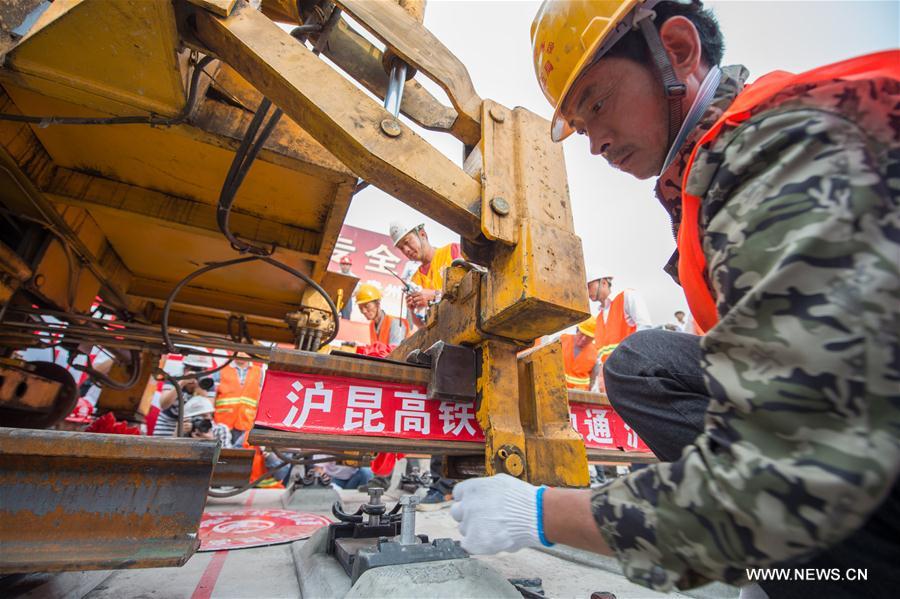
{"x": 413, "y": 243}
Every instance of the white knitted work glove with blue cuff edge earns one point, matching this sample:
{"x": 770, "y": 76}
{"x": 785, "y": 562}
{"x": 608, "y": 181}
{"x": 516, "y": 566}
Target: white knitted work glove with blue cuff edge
{"x": 497, "y": 513}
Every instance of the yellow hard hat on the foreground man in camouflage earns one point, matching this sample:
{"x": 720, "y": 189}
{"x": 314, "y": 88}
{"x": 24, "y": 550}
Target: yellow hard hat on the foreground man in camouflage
{"x": 567, "y": 36}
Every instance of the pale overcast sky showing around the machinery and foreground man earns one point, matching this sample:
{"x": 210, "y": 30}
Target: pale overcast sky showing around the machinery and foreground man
{"x": 624, "y": 231}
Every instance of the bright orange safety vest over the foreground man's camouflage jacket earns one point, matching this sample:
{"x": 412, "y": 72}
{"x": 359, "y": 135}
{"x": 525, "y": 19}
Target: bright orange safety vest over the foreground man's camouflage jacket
{"x": 691, "y": 260}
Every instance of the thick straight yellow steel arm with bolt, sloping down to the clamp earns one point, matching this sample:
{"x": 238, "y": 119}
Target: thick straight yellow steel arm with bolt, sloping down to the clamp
{"x": 343, "y": 118}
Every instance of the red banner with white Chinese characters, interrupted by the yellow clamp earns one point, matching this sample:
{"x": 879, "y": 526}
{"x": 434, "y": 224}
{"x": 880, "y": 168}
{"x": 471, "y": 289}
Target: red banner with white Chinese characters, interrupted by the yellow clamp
{"x": 339, "y": 405}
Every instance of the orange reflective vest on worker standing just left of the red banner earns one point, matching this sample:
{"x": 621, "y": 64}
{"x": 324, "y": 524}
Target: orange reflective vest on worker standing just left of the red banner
{"x": 237, "y": 395}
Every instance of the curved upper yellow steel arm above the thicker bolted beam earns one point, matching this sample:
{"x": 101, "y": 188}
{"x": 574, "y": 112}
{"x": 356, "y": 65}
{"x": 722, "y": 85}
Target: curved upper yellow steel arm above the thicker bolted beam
{"x": 414, "y": 44}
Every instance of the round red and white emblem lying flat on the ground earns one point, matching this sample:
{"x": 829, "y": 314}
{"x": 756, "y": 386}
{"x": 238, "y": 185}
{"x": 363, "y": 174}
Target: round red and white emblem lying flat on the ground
{"x": 221, "y": 531}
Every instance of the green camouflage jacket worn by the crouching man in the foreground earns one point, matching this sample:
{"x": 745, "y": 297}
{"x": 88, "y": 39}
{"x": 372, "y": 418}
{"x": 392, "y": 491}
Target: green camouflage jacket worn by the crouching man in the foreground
{"x": 801, "y": 230}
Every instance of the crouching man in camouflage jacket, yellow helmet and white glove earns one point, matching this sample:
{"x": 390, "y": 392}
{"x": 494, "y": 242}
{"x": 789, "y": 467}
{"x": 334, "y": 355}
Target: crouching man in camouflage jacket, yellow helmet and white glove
{"x": 779, "y": 430}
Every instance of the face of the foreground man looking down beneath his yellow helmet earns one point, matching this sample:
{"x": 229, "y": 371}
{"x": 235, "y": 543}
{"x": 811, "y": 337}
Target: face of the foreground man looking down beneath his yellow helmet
{"x": 619, "y": 104}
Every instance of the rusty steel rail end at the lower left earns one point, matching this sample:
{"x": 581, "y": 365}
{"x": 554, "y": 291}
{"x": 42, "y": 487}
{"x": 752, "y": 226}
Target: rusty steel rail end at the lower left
{"x": 88, "y": 501}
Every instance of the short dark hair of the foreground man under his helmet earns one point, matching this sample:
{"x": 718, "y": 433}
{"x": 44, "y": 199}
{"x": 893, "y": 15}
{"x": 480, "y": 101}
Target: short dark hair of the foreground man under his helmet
{"x": 633, "y": 46}
